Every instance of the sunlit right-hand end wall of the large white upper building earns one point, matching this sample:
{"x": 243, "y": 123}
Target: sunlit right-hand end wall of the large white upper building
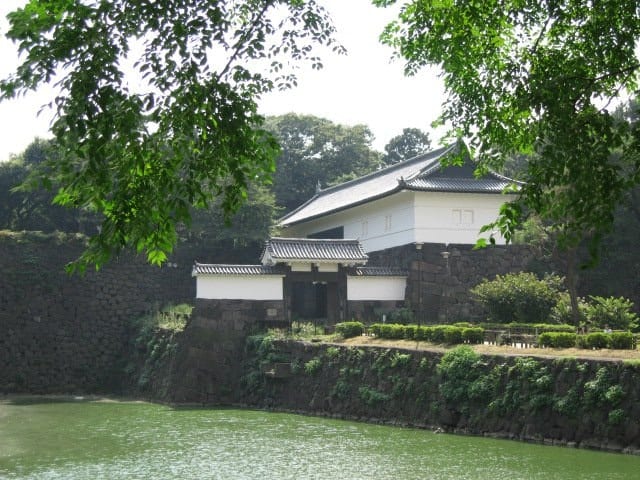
{"x": 443, "y": 217}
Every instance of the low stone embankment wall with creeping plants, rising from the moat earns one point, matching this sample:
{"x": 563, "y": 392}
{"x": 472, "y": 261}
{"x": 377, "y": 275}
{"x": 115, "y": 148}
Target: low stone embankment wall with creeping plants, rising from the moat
{"x": 575, "y": 402}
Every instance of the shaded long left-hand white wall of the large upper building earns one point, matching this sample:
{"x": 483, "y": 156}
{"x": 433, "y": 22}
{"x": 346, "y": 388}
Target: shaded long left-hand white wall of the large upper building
{"x": 380, "y": 224}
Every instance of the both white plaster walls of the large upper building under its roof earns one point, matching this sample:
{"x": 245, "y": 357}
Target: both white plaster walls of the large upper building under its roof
{"x": 409, "y": 217}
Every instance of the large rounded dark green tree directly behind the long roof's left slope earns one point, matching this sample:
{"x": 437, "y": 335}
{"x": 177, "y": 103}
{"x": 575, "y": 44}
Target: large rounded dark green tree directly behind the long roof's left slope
{"x": 316, "y": 151}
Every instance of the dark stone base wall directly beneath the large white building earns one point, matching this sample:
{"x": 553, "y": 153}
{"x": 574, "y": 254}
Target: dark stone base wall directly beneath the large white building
{"x": 440, "y": 276}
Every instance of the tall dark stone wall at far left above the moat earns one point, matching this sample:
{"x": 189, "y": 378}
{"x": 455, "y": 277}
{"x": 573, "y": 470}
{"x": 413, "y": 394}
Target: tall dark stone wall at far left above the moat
{"x": 62, "y": 333}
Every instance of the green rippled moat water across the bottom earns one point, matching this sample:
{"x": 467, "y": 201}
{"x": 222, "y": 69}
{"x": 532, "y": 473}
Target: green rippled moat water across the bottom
{"x": 119, "y": 440}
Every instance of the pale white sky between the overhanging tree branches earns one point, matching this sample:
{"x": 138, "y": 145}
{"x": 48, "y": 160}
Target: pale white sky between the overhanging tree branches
{"x": 363, "y": 87}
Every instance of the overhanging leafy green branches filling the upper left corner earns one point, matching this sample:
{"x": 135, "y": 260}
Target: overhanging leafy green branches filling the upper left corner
{"x": 141, "y": 151}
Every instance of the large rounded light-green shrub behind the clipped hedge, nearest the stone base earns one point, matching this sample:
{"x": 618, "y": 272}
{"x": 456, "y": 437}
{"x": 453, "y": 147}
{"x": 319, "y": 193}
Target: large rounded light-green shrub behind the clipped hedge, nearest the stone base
{"x": 519, "y": 297}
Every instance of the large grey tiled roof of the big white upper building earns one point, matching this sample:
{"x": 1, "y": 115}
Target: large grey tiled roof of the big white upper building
{"x": 421, "y": 173}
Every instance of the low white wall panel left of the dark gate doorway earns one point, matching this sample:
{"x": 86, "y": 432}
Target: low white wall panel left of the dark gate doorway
{"x": 240, "y": 287}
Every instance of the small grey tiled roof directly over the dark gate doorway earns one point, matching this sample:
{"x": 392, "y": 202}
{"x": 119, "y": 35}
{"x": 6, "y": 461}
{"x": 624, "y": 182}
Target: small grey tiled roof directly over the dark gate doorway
{"x": 286, "y": 250}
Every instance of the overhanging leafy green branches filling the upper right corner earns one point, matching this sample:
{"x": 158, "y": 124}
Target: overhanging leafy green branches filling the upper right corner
{"x": 537, "y": 77}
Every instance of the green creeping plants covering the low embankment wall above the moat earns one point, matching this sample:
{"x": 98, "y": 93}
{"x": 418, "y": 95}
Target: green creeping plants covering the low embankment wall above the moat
{"x": 484, "y": 392}
